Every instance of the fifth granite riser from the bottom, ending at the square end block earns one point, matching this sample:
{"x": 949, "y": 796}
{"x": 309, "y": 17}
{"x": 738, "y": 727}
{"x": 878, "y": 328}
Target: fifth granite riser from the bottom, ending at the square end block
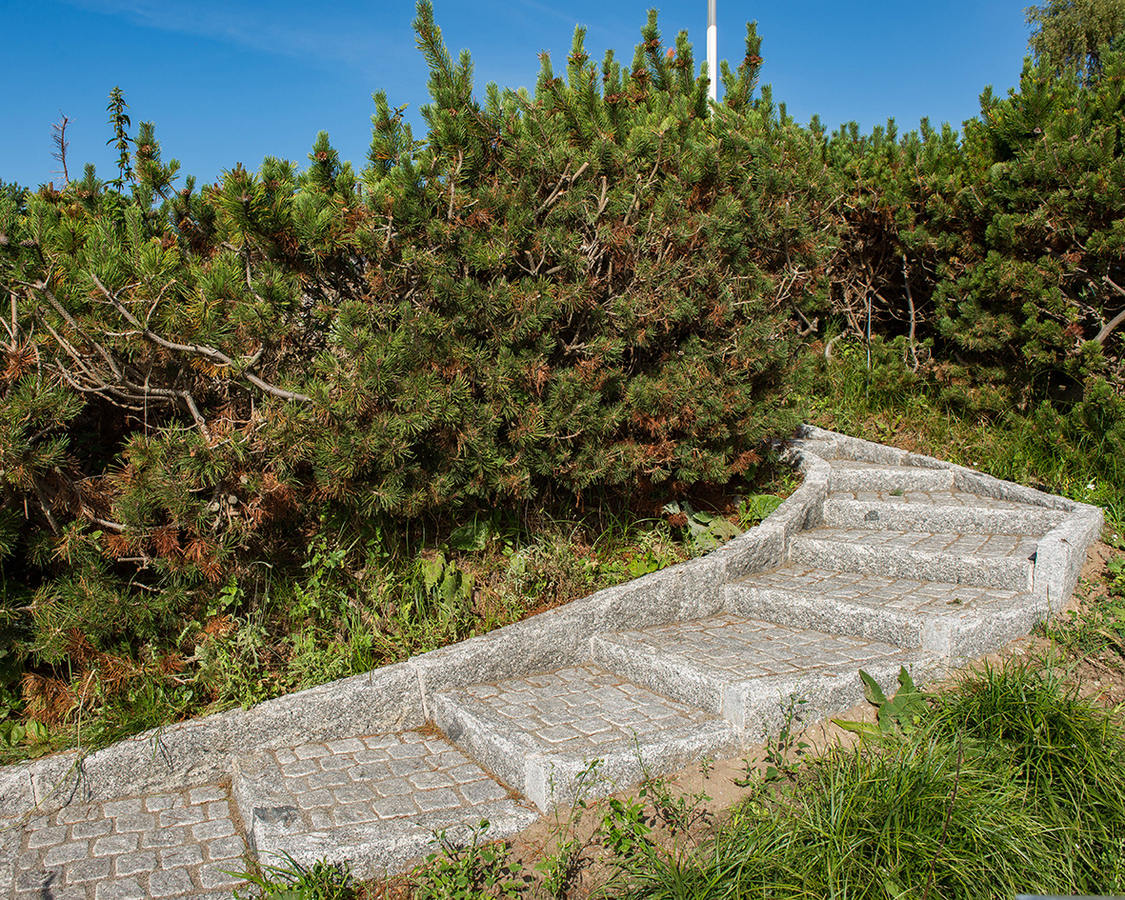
{"x": 1005, "y": 573}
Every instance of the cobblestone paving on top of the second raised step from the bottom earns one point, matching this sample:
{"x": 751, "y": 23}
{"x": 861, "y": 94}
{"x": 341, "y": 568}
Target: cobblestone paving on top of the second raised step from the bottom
{"x": 577, "y": 712}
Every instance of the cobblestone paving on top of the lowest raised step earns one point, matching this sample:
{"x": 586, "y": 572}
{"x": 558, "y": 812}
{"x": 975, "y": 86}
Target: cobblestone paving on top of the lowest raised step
{"x": 383, "y": 777}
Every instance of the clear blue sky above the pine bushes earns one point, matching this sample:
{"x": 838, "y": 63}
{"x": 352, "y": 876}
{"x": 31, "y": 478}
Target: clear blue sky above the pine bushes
{"x": 229, "y": 82}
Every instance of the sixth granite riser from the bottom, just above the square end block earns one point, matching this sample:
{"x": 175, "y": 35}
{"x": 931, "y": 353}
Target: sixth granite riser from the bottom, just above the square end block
{"x": 920, "y": 517}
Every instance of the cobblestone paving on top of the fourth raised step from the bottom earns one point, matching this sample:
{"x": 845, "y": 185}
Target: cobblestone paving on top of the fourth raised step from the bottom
{"x": 902, "y": 595}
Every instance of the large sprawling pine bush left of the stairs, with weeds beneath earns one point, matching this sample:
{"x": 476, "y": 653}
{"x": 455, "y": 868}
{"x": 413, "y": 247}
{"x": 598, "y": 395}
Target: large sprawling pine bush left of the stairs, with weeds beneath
{"x": 560, "y": 299}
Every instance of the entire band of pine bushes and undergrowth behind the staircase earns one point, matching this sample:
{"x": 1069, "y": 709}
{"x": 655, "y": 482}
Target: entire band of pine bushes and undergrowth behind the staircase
{"x": 571, "y": 298}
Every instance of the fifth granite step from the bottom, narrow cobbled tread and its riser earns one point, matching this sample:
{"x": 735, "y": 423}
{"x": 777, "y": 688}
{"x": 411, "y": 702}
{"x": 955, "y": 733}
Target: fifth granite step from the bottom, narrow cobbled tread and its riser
{"x": 987, "y": 561}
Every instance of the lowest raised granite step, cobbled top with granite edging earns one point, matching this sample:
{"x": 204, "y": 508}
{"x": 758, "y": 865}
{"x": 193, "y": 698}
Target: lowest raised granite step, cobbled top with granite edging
{"x": 374, "y": 802}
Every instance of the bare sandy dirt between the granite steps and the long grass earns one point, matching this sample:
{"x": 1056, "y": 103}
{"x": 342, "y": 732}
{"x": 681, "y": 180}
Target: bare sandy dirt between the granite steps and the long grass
{"x": 562, "y": 854}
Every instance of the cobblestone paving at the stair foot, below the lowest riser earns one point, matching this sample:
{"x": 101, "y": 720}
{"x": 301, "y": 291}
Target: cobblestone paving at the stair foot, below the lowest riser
{"x": 165, "y": 845}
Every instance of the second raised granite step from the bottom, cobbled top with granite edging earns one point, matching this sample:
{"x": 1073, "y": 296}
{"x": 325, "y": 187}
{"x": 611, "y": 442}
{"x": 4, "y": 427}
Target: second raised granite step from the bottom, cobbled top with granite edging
{"x": 577, "y": 732}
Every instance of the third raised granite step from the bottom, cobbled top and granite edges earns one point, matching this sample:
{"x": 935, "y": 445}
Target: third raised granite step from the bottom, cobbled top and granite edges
{"x": 750, "y": 671}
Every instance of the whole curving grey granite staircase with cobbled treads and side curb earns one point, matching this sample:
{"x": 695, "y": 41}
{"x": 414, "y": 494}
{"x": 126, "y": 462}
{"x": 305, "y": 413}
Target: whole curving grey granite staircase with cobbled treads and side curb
{"x": 881, "y": 560}
